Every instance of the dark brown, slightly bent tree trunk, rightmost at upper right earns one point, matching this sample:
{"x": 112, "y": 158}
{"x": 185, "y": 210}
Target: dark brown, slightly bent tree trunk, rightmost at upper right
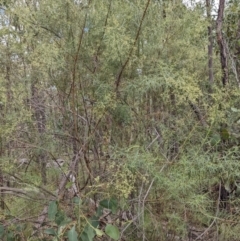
{"x": 221, "y": 43}
